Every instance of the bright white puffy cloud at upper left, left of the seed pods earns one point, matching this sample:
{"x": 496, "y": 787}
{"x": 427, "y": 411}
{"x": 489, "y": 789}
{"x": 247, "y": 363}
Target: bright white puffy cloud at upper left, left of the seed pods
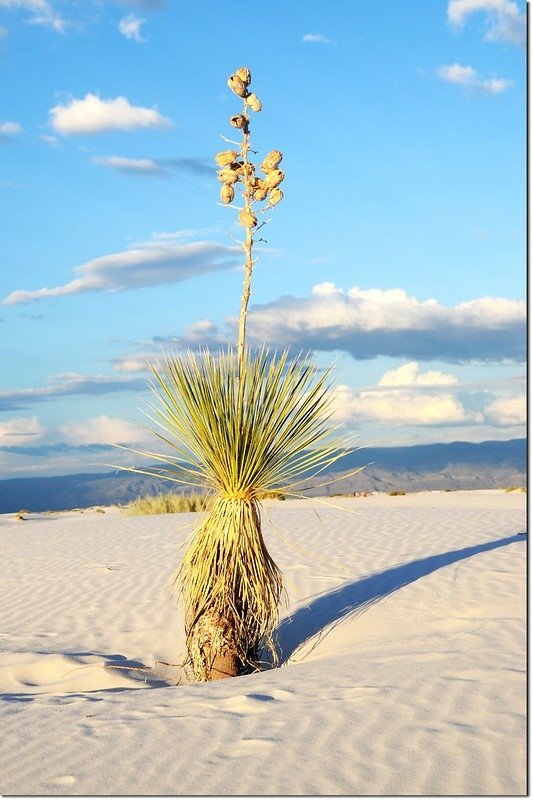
{"x": 94, "y": 115}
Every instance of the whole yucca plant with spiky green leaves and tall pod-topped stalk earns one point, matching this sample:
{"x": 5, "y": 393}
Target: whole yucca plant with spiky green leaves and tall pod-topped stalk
{"x": 239, "y": 424}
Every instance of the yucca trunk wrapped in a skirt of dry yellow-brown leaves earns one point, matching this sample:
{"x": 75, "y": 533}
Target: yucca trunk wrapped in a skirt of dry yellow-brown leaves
{"x": 231, "y": 589}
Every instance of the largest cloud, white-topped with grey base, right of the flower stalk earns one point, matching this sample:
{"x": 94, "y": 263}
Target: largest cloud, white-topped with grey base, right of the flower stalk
{"x": 373, "y": 322}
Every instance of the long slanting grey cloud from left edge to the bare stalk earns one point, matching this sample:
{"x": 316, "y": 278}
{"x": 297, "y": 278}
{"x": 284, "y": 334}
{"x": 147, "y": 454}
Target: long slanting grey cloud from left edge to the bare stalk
{"x": 154, "y": 263}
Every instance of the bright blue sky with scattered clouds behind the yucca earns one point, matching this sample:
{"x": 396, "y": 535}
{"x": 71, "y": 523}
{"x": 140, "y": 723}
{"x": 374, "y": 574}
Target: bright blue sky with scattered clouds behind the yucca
{"x": 397, "y": 253}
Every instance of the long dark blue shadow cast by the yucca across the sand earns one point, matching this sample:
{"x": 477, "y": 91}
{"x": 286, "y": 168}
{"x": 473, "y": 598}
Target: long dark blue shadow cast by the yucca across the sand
{"x": 325, "y": 611}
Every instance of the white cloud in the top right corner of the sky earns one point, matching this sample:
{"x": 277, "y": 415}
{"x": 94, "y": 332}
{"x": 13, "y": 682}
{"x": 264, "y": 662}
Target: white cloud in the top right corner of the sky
{"x": 504, "y": 20}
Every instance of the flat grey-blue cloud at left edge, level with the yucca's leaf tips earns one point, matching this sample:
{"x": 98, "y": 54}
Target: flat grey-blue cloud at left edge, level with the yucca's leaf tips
{"x": 67, "y": 384}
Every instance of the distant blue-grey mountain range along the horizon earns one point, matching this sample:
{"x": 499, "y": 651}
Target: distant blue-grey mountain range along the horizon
{"x": 458, "y": 465}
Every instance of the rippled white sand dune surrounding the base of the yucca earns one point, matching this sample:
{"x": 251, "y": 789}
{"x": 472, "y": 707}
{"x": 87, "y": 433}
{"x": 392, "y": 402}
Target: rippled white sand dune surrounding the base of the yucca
{"x": 404, "y": 663}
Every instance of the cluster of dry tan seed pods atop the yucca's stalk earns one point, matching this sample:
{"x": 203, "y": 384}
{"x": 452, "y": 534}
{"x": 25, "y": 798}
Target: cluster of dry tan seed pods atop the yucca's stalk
{"x": 235, "y": 167}
